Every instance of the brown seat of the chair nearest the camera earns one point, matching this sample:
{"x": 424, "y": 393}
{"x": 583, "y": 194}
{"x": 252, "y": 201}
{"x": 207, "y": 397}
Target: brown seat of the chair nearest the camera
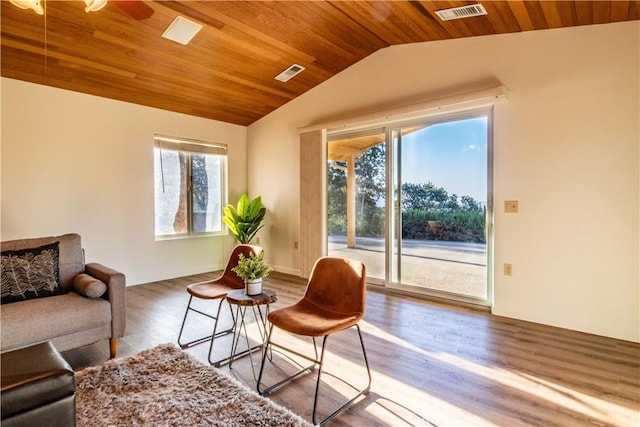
{"x": 309, "y": 319}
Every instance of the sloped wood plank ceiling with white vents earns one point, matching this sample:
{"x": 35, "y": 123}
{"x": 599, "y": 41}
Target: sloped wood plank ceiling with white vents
{"x": 227, "y": 72}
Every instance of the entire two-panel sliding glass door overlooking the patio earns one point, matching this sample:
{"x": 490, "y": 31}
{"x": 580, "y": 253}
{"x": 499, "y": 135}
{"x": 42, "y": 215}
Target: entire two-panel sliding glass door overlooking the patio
{"x": 433, "y": 235}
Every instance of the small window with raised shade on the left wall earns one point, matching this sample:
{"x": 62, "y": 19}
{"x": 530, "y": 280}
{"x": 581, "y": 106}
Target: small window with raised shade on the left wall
{"x": 190, "y": 178}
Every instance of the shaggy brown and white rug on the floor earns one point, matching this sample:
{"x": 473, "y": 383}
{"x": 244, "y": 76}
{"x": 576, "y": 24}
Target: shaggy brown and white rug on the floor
{"x": 165, "y": 386}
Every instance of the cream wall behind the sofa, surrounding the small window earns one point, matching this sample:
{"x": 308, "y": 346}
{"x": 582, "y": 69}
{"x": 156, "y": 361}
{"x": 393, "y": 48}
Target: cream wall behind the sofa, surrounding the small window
{"x": 78, "y": 163}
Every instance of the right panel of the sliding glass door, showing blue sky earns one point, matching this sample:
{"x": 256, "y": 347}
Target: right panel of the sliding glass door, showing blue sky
{"x": 440, "y": 182}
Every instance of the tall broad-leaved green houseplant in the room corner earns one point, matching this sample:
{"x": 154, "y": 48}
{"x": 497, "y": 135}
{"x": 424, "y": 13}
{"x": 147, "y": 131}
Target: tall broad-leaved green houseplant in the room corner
{"x": 245, "y": 219}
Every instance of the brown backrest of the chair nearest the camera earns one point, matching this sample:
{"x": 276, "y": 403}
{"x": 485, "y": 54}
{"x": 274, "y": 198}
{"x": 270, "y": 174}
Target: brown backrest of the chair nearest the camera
{"x": 339, "y": 285}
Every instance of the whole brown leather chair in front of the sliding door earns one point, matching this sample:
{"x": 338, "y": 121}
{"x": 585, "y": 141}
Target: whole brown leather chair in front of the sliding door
{"x": 334, "y": 301}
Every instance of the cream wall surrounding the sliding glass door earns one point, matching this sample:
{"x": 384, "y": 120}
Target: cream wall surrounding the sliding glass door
{"x": 566, "y": 146}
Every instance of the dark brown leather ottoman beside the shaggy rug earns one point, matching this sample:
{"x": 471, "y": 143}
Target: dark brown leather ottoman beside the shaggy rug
{"x": 38, "y": 388}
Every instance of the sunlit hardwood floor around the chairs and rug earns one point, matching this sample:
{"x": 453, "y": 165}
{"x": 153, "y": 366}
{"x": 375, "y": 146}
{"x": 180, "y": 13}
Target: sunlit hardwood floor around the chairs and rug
{"x": 432, "y": 364}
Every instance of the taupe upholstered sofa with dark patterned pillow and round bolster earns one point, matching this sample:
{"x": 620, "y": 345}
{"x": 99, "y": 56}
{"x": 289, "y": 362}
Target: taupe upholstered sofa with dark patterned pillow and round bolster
{"x": 60, "y": 313}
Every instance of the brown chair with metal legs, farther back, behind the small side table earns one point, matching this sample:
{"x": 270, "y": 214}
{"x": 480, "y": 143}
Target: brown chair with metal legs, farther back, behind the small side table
{"x": 216, "y": 289}
